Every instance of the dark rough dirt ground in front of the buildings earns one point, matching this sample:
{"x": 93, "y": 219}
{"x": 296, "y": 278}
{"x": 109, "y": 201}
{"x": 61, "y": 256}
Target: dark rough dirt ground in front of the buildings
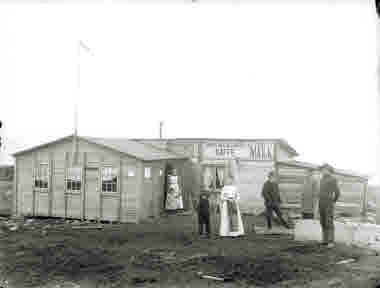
{"x": 51, "y": 252}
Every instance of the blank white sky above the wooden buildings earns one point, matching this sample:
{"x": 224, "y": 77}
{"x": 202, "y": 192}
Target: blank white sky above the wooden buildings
{"x": 301, "y": 71}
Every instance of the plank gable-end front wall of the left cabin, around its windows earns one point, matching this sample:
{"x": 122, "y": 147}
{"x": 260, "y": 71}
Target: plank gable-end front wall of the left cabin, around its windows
{"x": 122, "y": 205}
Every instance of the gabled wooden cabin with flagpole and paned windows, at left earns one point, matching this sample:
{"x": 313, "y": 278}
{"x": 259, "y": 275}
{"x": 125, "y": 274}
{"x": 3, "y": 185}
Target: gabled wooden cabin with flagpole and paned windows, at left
{"x": 105, "y": 179}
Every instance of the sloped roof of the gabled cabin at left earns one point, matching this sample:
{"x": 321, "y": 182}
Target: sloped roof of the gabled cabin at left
{"x": 132, "y": 148}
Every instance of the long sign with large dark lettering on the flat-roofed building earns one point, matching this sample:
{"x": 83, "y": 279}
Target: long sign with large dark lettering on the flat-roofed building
{"x": 252, "y": 151}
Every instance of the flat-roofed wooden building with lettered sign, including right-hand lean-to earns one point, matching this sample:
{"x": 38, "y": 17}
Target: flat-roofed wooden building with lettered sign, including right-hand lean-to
{"x": 256, "y": 157}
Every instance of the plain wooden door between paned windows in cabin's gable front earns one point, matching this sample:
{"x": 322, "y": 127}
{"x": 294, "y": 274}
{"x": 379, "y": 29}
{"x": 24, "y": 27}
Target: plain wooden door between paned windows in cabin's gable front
{"x": 92, "y": 194}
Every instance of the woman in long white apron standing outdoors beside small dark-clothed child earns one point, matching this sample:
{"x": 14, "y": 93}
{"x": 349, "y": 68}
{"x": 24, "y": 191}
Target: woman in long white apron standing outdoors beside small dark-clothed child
{"x": 231, "y": 224}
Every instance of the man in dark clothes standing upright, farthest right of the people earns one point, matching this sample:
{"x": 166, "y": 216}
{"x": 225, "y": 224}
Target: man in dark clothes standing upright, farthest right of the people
{"x": 328, "y": 195}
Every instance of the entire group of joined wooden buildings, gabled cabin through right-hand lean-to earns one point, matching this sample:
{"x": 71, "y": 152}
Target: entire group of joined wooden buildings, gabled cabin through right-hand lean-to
{"x": 123, "y": 180}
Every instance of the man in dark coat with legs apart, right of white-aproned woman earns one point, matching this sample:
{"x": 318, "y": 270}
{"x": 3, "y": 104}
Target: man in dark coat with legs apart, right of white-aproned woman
{"x": 272, "y": 200}
